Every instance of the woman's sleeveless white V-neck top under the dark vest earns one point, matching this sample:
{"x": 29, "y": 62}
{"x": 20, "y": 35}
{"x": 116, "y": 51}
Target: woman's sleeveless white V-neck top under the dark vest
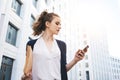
{"x": 46, "y": 63}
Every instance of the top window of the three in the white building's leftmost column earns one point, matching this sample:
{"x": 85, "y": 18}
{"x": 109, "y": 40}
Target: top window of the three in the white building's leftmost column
{"x": 16, "y": 5}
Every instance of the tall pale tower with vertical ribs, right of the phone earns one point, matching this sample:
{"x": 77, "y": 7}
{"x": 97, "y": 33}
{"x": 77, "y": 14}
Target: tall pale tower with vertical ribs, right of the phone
{"x": 100, "y": 68}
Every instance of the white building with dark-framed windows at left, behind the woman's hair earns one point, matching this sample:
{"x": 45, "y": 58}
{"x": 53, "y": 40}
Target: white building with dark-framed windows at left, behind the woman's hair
{"x": 16, "y": 18}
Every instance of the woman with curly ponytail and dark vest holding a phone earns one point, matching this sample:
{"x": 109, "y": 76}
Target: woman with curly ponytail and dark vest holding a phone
{"x": 47, "y": 59}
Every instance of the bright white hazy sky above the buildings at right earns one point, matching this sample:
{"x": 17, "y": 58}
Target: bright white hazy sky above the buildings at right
{"x": 104, "y": 14}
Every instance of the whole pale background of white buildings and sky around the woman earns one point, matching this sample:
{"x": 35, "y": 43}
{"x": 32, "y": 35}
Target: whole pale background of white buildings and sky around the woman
{"x": 84, "y": 22}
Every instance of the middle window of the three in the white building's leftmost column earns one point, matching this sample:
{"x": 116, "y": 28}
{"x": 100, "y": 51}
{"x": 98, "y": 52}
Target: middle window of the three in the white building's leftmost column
{"x": 11, "y": 34}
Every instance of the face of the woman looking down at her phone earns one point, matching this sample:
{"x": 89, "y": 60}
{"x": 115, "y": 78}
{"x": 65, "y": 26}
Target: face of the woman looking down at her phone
{"x": 55, "y": 25}
